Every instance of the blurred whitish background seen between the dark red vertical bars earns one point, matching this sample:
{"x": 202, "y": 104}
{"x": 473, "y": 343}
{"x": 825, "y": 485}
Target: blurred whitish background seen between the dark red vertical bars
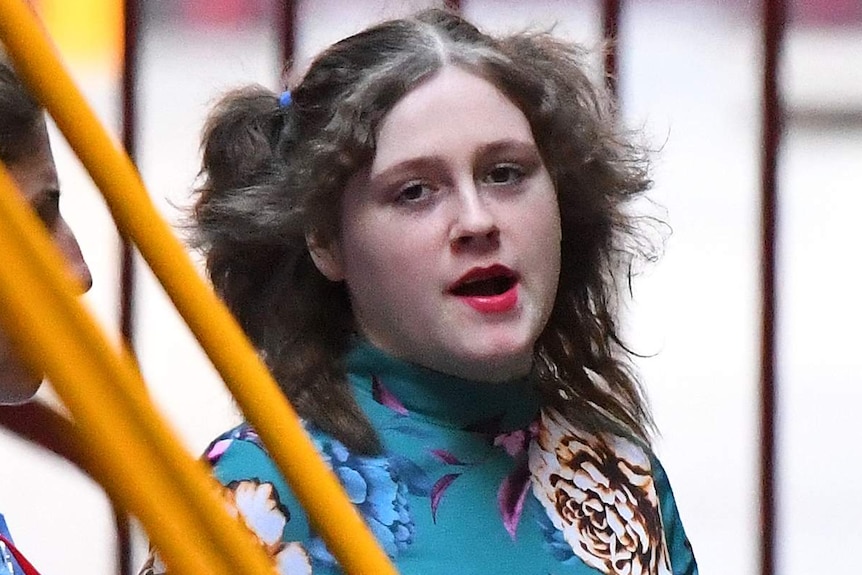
{"x": 690, "y": 78}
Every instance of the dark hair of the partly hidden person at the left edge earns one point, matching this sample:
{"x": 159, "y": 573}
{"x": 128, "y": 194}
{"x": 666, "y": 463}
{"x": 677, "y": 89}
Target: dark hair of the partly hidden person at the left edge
{"x": 21, "y": 117}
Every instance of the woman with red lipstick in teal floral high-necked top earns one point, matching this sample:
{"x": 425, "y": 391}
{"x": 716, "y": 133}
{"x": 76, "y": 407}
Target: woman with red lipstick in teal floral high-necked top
{"x": 425, "y": 238}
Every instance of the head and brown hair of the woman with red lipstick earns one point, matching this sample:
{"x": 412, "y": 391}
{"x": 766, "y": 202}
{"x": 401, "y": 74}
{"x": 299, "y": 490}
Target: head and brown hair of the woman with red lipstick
{"x": 414, "y": 157}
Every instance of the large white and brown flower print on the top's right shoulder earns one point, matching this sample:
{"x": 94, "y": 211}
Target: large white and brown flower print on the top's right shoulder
{"x": 598, "y": 491}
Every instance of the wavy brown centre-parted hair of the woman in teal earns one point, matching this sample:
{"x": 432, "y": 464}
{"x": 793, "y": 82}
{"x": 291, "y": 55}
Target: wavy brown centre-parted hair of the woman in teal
{"x": 273, "y": 174}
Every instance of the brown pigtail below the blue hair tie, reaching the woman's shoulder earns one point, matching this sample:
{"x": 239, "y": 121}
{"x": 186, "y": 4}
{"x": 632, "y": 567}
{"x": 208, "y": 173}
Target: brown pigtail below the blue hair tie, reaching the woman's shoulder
{"x": 250, "y": 219}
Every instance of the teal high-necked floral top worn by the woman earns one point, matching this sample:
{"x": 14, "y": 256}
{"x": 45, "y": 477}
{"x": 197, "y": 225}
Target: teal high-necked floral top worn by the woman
{"x": 474, "y": 480}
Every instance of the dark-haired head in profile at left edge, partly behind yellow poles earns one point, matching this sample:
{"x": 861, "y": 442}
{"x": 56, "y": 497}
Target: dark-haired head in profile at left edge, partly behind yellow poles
{"x": 25, "y": 151}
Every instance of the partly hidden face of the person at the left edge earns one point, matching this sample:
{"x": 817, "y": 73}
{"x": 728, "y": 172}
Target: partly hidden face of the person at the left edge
{"x": 36, "y": 178}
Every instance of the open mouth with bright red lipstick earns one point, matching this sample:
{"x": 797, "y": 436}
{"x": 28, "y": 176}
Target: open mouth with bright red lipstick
{"x": 489, "y": 290}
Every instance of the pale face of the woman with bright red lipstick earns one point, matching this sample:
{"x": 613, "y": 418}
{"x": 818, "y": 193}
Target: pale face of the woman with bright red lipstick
{"x": 450, "y": 241}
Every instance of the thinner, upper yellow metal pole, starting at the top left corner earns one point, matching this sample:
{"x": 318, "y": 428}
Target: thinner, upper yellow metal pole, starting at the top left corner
{"x": 263, "y": 404}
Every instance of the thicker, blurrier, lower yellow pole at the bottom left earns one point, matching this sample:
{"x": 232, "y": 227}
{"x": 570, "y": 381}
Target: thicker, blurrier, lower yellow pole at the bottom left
{"x": 151, "y": 474}
